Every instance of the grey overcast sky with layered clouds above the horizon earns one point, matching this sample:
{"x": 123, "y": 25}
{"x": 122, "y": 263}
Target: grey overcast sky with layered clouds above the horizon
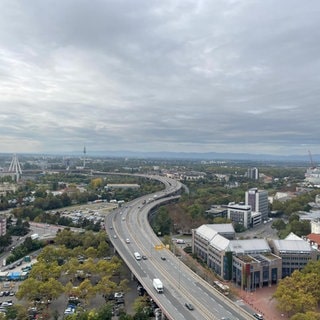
{"x": 164, "y": 75}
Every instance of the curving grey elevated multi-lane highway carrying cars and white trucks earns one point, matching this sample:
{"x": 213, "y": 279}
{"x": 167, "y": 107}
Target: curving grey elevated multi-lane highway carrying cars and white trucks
{"x": 130, "y": 232}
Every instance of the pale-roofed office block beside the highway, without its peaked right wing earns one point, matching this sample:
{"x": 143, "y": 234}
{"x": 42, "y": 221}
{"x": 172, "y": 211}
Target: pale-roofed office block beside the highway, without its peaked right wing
{"x": 249, "y": 263}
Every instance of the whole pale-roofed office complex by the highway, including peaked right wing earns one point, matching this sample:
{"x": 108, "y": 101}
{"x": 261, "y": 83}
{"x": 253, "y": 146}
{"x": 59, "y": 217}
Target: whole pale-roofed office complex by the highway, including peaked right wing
{"x": 251, "y": 263}
